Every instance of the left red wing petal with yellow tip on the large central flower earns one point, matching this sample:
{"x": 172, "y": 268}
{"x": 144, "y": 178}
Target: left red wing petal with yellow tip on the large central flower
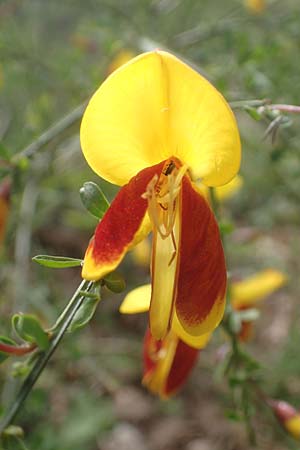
{"x": 119, "y": 227}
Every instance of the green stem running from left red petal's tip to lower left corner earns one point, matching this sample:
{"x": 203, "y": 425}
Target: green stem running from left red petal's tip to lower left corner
{"x": 29, "y": 382}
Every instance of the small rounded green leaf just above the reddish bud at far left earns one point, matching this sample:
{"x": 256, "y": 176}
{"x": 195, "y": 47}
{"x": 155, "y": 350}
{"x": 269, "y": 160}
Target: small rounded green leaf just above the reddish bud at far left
{"x": 28, "y": 328}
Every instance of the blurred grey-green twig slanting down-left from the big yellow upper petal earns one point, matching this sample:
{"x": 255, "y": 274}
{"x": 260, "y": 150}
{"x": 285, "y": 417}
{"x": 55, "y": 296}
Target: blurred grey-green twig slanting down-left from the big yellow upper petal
{"x": 51, "y": 134}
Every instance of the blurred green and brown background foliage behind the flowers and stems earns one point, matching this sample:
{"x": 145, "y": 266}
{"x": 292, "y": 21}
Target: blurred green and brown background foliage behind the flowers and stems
{"x": 53, "y": 55}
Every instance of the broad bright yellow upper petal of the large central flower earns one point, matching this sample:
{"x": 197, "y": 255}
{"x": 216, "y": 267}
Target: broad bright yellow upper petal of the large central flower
{"x": 155, "y": 107}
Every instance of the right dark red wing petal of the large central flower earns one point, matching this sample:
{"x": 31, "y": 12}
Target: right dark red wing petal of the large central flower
{"x": 201, "y": 283}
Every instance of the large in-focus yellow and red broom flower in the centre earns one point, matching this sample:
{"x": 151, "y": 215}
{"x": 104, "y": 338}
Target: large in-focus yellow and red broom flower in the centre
{"x": 155, "y": 126}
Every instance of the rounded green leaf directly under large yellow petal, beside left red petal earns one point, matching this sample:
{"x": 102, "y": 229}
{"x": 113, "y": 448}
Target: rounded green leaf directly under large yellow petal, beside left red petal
{"x": 93, "y": 199}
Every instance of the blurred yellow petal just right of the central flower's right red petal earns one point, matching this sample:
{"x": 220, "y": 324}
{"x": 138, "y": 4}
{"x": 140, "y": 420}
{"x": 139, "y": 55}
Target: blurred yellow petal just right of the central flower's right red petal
{"x": 248, "y": 292}
